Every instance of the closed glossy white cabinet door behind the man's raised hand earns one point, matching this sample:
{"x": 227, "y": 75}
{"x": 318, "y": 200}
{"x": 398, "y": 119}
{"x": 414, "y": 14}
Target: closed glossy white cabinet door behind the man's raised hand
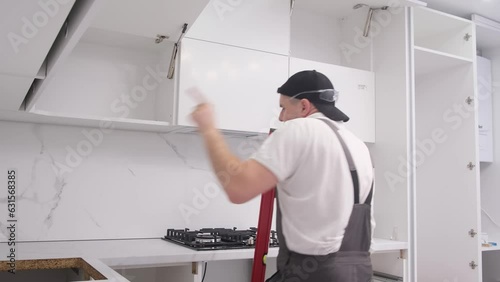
{"x": 240, "y": 83}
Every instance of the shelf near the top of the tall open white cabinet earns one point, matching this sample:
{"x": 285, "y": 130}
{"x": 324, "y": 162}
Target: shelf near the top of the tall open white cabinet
{"x": 429, "y": 61}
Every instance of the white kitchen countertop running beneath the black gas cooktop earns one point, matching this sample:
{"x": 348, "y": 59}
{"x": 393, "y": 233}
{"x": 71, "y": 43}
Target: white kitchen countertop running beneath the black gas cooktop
{"x": 107, "y": 254}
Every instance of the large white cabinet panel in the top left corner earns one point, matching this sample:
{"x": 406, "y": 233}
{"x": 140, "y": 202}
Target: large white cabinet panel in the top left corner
{"x": 28, "y": 29}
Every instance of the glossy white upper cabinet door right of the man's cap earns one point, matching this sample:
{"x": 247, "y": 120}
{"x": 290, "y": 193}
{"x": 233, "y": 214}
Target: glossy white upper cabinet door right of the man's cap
{"x": 356, "y": 97}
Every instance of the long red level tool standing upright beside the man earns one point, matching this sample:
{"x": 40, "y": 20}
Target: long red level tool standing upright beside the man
{"x": 263, "y": 234}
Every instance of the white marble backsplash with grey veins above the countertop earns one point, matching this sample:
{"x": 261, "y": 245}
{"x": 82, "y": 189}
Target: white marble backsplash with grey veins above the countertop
{"x": 77, "y": 183}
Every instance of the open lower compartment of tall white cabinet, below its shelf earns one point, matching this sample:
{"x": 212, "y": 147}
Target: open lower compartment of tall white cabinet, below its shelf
{"x": 447, "y": 176}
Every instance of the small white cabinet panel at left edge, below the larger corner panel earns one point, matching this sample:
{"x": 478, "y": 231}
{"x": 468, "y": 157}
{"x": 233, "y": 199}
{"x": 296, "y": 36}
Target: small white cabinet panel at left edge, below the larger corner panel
{"x": 12, "y": 91}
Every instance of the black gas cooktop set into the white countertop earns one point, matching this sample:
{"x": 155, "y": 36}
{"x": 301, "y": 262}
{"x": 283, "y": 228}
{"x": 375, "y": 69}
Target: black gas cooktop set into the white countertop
{"x": 217, "y": 238}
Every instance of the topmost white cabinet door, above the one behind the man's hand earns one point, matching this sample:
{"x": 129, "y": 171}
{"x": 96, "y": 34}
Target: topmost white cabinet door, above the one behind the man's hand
{"x": 258, "y": 24}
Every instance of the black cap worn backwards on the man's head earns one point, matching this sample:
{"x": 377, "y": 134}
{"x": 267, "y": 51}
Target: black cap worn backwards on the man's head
{"x": 318, "y": 89}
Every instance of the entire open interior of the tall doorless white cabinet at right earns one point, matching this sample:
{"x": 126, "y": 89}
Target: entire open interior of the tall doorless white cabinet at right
{"x": 446, "y": 163}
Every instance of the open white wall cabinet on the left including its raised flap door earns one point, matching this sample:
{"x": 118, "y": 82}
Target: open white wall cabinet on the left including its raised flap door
{"x": 112, "y": 68}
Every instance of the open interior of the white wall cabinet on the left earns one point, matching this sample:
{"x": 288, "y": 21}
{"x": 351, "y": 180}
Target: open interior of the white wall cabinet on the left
{"x": 111, "y": 76}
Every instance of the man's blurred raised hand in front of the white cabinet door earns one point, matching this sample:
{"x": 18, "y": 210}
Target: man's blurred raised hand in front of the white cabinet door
{"x": 203, "y": 114}
